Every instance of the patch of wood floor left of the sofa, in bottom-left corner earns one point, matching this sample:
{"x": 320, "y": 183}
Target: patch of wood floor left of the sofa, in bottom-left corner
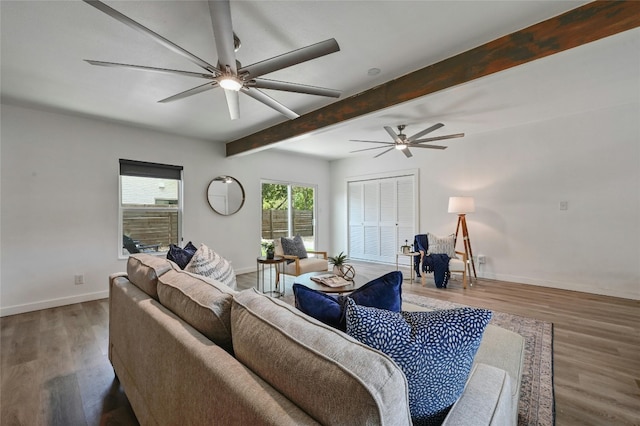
{"x": 55, "y": 371}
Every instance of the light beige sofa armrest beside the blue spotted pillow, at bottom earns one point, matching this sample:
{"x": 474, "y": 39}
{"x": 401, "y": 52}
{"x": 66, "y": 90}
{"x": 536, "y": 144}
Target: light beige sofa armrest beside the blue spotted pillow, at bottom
{"x": 486, "y": 399}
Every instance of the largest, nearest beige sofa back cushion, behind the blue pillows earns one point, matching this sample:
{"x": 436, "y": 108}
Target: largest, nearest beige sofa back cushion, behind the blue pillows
{"x": 292, "y": 351}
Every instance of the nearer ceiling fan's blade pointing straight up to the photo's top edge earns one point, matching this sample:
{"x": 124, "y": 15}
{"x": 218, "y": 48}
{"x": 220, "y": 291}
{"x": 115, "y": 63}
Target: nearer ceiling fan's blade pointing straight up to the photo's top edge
{"x": 220, "y": 12}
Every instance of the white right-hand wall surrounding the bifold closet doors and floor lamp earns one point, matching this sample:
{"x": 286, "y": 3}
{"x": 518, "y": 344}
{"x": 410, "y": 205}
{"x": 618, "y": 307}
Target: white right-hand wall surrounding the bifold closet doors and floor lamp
{"x": 518, "y": 177}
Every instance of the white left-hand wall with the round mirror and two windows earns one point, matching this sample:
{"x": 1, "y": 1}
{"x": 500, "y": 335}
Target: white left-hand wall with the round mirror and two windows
{"x": 59, "y": 205}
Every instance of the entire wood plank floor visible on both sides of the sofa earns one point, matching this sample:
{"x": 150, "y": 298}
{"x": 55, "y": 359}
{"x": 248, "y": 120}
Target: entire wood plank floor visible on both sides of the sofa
{"x": 54, "y": 368}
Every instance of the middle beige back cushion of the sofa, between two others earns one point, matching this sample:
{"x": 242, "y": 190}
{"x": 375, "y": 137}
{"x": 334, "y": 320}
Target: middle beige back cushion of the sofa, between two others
{"x": 203, "y": 303}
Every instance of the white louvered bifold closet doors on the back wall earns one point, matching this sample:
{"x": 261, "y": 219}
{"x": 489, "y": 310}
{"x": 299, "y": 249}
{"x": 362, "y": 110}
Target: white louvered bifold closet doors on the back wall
{"x": 382, "y": 216}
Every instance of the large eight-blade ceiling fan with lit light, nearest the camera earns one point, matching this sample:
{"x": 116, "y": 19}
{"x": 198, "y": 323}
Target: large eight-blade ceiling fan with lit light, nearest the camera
{"x": 229, "y": 74}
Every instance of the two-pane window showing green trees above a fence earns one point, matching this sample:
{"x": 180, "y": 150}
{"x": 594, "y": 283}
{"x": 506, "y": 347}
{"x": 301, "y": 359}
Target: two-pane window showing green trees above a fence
{"x": 288, "y": 210}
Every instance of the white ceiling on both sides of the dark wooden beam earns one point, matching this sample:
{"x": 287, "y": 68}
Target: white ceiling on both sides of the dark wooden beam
{"x": 44, "y": 44}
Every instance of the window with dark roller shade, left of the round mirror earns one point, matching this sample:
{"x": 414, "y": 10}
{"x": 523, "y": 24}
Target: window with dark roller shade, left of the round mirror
{"x": 150, "y": 206}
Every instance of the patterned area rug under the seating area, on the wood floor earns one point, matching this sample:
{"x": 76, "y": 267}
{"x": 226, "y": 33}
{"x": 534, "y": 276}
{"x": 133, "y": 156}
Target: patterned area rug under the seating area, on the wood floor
{"x": 536, "y": 405}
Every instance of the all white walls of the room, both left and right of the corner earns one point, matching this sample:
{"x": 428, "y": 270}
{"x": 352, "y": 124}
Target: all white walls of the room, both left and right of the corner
{"x": 518, "y": 177}
